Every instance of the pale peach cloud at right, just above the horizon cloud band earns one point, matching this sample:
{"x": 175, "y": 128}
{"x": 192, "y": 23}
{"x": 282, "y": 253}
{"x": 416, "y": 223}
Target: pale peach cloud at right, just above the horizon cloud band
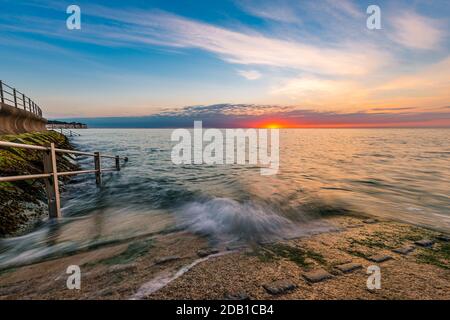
{"x": 421, "y": 87}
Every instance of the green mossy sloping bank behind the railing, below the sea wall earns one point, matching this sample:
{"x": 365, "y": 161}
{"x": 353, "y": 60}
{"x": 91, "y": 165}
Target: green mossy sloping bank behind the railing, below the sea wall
{"x": 23, "y": 203}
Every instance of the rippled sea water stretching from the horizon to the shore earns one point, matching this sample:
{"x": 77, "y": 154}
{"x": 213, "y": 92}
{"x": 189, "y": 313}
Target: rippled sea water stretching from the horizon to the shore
{"x": 399, "y": 174}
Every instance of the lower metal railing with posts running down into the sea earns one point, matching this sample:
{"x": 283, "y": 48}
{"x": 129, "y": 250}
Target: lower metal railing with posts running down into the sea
{"x": 51, "y": 174}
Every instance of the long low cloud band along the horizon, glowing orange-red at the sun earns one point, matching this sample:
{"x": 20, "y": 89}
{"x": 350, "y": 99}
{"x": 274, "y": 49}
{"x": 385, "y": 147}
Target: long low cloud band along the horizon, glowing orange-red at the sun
{"x": 244, "y": 116}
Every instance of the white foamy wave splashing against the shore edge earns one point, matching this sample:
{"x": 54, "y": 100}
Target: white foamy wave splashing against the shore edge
{"x": 227, "y": 220}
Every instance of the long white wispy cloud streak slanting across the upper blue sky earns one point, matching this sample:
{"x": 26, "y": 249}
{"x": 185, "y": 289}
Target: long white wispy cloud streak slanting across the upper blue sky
{"x": 140, "y": 28}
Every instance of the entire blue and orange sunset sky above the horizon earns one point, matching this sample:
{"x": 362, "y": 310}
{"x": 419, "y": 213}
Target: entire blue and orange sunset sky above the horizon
{"x": 232, "y": 63}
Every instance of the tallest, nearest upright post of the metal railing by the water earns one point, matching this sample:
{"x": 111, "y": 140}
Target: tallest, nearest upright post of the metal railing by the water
{"x": 51, "y": 183}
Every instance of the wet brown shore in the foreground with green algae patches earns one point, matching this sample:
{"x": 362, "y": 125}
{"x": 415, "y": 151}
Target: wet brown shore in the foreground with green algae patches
{"x": 185, "y": 266}
